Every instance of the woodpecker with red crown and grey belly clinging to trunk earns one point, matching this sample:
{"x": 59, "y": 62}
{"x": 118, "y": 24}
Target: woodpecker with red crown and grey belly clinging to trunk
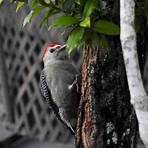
{"x": 59, "y": 84}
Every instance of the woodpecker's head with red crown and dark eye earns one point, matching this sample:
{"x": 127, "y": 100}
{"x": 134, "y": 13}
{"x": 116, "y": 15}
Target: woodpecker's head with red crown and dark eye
{"x": 52, "y": 52}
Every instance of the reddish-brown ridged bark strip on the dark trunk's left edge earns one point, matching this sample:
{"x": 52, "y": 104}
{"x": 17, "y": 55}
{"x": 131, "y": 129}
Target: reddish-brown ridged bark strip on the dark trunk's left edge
{"x": 87, "y": 131}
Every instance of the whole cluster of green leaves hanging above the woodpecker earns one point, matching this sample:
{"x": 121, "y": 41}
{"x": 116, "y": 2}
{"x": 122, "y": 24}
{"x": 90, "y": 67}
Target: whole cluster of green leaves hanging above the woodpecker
{"x": 86, "y": 18}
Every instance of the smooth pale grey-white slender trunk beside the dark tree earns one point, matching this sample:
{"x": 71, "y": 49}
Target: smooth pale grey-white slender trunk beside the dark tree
{"x": 139, "y": 98}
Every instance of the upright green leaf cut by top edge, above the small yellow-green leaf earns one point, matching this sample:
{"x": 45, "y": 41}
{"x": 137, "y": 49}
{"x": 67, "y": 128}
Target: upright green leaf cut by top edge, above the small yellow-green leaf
{"x": 89, "y": 7}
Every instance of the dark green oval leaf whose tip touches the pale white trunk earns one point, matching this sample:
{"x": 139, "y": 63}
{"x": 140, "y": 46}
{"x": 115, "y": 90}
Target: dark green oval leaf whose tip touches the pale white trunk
{"x": 106, "y": 27}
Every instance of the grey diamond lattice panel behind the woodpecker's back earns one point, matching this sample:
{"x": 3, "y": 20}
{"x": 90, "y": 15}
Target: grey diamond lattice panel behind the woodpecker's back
{"x": 31, "y": 115}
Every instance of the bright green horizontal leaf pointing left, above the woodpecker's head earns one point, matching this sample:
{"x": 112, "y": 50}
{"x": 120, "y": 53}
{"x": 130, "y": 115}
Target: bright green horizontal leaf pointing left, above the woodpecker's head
{"x": 64, "y": 21}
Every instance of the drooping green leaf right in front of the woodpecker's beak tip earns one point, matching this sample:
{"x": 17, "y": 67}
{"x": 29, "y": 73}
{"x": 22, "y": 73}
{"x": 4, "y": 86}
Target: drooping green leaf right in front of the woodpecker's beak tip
{"x": 75, "y": 39}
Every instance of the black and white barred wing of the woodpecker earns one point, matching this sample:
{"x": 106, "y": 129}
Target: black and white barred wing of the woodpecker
{"x": 48, "y": 98}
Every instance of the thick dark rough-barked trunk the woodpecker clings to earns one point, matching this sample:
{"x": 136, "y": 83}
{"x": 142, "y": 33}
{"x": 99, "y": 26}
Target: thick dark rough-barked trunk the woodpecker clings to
{"x": 106, "y": 117}
